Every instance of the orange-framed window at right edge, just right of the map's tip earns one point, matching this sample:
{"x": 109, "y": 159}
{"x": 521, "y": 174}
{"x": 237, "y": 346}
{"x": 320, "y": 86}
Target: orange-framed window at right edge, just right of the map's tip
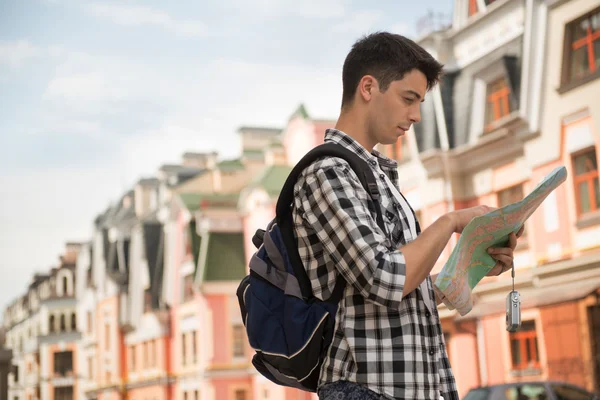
{"x": 587, "y": 190}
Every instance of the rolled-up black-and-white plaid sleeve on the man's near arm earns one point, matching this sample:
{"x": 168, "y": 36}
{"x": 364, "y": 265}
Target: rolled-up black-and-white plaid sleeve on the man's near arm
{"x": 335, "y": 207}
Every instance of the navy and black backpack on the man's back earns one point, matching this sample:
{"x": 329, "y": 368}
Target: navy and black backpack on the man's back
{"x": 289, "y": 329}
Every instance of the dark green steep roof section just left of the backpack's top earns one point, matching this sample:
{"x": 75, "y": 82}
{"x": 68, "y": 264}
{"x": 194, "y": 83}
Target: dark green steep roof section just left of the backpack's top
{"x": 224, "y": 260}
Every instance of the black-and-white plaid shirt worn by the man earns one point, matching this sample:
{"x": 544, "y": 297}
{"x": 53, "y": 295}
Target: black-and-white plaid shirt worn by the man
{"x": 389, "y": 342}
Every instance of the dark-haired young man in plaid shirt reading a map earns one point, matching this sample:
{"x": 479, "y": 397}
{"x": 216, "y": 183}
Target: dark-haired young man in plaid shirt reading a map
{"x": 388, "y": 342}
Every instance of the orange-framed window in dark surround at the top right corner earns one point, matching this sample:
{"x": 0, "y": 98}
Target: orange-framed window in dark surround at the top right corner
{"x": 582, "y": 47}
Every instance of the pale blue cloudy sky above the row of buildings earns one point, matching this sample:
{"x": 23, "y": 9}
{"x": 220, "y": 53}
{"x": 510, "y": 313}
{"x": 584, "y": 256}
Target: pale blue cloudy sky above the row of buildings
{"x": 95, "y": 95}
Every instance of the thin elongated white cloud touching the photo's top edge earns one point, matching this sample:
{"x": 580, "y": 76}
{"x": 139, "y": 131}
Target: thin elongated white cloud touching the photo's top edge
{"x": 131, "y": 15}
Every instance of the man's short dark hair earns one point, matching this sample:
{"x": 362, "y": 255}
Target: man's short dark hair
{"x": 387, "y": 57}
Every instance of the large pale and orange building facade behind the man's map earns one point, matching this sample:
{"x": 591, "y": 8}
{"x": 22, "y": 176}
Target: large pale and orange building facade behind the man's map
{"x": 516, "y": 102}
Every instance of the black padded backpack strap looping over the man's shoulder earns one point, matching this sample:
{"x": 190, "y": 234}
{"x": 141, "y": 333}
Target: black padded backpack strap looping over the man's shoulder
{"x": 284, "y": 207}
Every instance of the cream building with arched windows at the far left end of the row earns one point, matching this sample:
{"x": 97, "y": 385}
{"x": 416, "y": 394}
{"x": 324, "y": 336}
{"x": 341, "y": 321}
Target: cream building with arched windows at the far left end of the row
{"x": 42, "y": 332}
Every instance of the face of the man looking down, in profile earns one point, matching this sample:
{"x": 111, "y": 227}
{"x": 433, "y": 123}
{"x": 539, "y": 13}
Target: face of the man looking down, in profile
{"x": 394, "y": 111}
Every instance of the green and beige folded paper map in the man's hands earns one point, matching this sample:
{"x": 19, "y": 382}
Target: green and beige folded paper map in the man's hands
{"x": 470, "y": 262}
